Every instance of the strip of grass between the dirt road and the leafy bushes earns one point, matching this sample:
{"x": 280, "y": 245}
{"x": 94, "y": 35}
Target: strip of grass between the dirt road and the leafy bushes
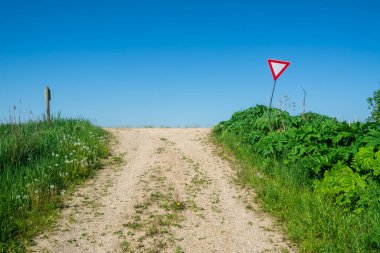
{"x": 315, "y": 224}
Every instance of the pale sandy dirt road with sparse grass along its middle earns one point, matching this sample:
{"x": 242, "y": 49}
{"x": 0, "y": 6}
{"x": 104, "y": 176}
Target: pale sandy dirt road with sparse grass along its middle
{"x": 172, "y": 194}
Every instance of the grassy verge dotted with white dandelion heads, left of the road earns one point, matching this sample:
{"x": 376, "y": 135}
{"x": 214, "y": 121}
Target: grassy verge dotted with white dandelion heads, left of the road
{"x": 39, "y": 164}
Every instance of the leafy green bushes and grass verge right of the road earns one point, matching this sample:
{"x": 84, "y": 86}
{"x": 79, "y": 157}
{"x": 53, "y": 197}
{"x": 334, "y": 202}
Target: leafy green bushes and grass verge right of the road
{"x": 319, "y": 176}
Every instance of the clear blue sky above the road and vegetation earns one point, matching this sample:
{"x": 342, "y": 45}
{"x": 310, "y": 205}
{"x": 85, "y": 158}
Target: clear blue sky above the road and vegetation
{"x": 180, "y": 63}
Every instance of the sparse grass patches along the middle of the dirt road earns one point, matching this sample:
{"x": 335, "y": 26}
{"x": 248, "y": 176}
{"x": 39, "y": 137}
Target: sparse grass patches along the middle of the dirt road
{"x": 150, "y": 228}
